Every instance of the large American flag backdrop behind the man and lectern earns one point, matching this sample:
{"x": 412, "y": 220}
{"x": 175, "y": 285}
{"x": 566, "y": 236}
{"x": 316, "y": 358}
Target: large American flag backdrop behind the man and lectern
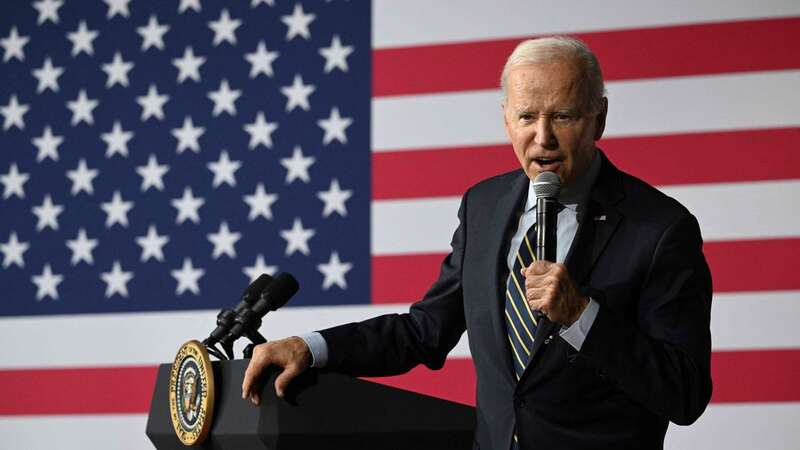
{"x": 156, "y": 156}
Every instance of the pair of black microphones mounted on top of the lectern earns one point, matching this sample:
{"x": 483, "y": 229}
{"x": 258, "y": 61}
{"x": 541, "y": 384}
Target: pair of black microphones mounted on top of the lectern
{"x": 272, "y": 297}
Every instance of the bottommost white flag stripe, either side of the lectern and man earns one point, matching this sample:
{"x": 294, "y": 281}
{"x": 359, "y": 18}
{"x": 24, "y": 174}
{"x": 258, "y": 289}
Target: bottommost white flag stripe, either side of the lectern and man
{"x": 762, "y": 426}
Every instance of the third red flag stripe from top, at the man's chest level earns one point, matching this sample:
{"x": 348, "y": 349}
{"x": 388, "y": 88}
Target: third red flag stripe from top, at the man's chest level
{"x": 735, "y": 266}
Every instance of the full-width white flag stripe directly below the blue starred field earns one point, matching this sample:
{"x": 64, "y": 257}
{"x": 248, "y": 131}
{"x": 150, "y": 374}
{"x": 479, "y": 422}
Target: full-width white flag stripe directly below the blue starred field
{"x": 153, "y": 338}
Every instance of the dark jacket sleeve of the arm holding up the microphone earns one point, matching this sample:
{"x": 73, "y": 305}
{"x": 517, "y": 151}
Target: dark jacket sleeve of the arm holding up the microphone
{"x": 661, "y": 359}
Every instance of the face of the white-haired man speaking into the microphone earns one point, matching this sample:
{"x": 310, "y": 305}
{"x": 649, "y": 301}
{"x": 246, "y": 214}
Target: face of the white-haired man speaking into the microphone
{"x": 549, "y": 121}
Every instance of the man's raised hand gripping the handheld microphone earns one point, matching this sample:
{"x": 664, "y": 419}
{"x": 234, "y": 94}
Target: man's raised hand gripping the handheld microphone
{"x": 549, "y": 289}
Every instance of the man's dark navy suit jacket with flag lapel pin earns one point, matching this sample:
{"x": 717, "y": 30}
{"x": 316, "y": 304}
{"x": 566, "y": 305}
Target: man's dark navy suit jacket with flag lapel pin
{"x": 645, "y": 361}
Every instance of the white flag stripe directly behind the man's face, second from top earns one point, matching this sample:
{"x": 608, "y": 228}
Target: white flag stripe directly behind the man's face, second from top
{"x": 637, "y": 107}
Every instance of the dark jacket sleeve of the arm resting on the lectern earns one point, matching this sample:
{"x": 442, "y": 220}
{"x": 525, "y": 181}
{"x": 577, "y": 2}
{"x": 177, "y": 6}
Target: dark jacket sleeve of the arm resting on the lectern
{"x": 395, "y": 343}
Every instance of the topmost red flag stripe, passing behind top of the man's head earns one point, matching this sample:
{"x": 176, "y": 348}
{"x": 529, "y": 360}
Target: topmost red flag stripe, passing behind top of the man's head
{"x": 625, "y": 54}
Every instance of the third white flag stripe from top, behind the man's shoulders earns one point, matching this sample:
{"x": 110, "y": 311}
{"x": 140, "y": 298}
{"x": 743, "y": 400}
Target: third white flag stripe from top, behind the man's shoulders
{"x": 726, "y": 211}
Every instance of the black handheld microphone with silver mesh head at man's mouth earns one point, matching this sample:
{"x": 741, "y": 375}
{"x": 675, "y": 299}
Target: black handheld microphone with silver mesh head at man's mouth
{"x": 547, "y": 186}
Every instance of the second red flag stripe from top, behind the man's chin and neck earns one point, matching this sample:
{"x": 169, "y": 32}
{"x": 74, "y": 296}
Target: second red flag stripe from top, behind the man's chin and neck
{"x": 659, "y": 160}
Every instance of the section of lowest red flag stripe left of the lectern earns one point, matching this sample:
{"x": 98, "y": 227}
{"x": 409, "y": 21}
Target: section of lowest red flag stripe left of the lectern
{"x": 104, "y": 390}
